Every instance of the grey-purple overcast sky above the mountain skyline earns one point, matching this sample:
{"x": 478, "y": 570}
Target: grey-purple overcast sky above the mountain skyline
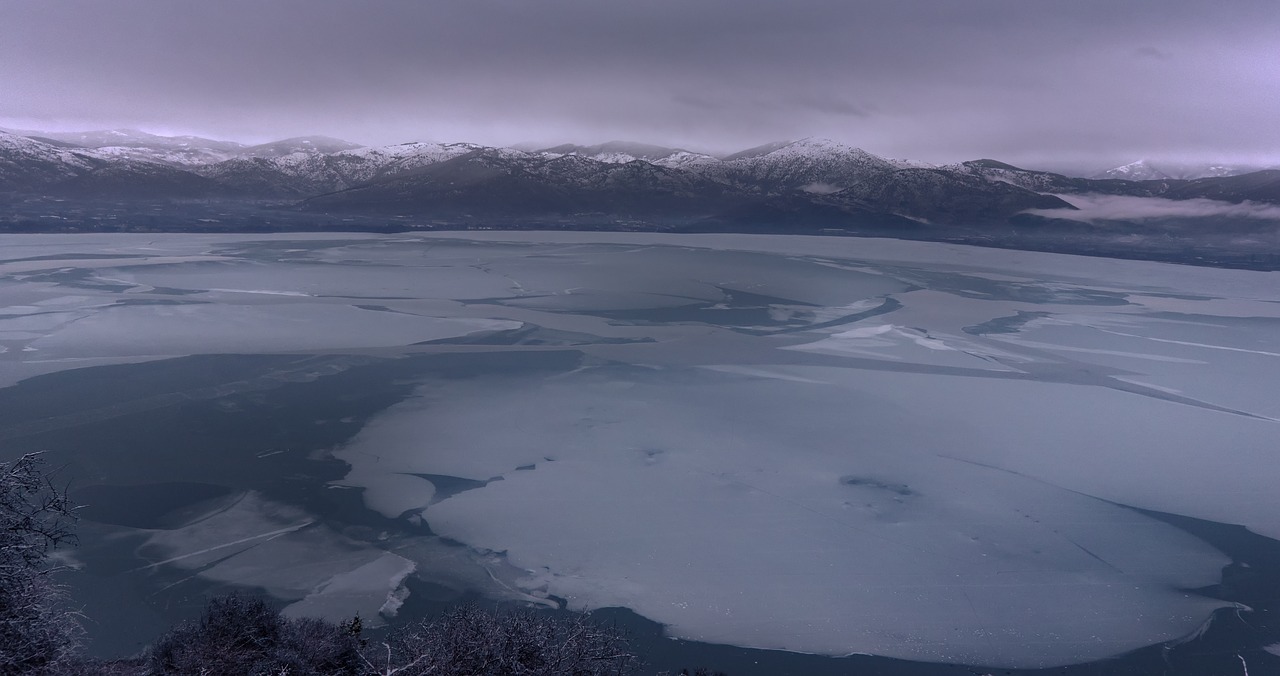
{"x": 1044, "y": 84}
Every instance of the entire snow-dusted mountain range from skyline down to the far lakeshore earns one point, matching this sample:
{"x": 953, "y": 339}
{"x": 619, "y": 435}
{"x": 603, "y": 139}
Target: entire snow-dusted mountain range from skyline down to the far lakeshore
{"x": 811, "y": 185}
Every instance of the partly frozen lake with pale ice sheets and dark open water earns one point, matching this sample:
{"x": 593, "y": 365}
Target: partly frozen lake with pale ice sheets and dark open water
{"x": 825, "y": 446}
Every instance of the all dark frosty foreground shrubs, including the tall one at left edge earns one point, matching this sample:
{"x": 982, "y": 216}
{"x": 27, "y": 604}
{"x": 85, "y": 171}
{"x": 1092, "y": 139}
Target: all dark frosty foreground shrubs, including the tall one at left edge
{"x": 244, "y": 636}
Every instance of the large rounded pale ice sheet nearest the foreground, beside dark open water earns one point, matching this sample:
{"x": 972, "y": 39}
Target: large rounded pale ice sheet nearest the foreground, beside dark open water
{"x": 732, "y": 519}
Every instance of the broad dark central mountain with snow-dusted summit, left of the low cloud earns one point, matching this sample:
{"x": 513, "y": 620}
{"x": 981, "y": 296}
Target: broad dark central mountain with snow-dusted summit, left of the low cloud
{"x": 808, "y": 181}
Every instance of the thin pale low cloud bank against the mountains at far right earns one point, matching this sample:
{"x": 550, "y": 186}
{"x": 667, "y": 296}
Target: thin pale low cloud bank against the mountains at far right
{"x": 1092, "y": 208}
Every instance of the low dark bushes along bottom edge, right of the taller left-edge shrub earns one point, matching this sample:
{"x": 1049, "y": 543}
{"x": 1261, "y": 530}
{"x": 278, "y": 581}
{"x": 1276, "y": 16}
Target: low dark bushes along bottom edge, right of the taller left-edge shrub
{"x": 245, "y": 636}
